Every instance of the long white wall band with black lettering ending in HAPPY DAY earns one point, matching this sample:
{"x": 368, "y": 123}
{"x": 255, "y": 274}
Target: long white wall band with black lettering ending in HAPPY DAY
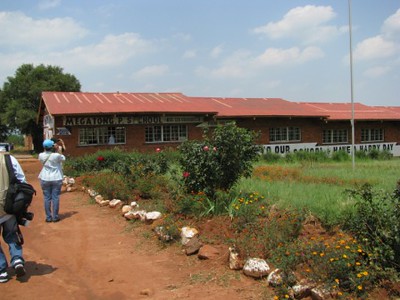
{"x": 393, "y": 148}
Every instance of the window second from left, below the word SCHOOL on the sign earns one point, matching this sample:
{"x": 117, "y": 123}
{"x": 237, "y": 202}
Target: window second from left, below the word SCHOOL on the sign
{"x": 165, "y": 133}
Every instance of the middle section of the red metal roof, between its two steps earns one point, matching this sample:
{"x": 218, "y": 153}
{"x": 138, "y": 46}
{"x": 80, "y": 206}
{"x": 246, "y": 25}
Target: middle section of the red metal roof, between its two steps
{"x": 258, "y": 107}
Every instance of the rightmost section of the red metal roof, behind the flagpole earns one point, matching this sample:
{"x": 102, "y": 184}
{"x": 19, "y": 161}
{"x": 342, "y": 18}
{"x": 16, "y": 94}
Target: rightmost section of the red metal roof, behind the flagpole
{"x": 343, "y": 111}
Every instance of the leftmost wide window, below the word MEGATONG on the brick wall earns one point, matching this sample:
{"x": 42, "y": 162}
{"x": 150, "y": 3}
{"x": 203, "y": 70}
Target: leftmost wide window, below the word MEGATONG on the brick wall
{"x": 101, "y": 135}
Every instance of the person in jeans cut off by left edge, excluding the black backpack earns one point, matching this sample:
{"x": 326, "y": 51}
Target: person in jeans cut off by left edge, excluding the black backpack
{"x": 9, "y": 224}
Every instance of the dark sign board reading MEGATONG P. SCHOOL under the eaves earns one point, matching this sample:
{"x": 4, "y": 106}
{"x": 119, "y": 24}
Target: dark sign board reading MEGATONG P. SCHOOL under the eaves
{"x": 127, "y": 120}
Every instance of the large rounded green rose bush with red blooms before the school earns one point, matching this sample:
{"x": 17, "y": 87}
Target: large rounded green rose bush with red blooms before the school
{"x": 218, "y": 163}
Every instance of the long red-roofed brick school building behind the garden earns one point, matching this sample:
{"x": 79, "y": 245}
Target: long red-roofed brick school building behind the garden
{"x": 88, "y": 122}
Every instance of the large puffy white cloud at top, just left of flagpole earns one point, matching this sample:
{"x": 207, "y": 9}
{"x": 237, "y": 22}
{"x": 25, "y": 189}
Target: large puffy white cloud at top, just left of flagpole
{"x": 304, "y": 23}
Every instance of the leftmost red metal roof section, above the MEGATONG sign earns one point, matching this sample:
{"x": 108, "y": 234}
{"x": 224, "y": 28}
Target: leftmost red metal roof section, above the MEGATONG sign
{"x": 62, "y": 103}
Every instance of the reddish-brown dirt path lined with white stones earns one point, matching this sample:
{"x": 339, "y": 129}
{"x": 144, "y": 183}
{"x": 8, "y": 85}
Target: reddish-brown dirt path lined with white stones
{"x": 93, "y": 253}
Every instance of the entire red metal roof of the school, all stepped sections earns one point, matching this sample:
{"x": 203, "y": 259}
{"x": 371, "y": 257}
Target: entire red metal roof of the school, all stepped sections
{"x": 70, "y": 103}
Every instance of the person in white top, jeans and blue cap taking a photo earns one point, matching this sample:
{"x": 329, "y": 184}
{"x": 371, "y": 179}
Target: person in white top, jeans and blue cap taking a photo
{"x": 51, "y": 177}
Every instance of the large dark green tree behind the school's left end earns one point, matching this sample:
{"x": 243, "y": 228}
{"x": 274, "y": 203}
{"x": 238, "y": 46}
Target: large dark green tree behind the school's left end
{"x": 20, "y": 97}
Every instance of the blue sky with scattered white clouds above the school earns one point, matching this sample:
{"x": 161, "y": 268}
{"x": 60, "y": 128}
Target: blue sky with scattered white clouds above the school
{"x": 298, "y": 50}
